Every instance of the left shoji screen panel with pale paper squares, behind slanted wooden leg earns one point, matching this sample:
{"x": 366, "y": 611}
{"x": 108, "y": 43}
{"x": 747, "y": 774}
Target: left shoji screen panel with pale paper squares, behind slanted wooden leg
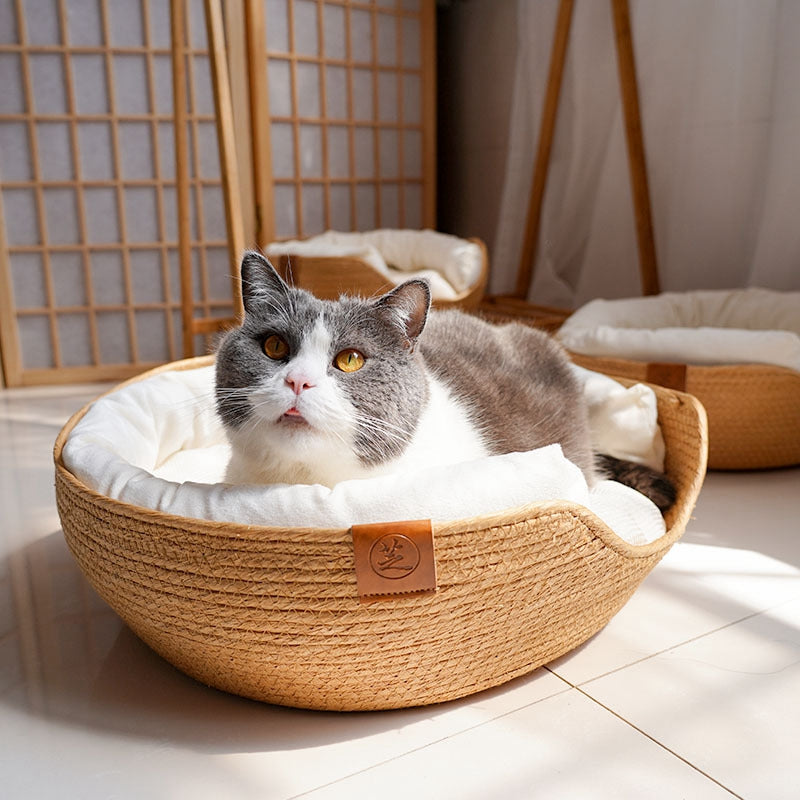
{"x": 89, "y": 279}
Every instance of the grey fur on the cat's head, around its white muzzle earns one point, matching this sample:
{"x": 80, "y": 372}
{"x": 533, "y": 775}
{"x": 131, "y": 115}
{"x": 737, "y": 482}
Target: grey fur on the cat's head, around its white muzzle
{"x": 391, "y": 388}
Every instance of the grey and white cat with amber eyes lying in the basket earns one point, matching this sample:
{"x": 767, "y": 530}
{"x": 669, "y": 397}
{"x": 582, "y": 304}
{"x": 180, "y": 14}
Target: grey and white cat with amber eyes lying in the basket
{"x": 318, "y": 391}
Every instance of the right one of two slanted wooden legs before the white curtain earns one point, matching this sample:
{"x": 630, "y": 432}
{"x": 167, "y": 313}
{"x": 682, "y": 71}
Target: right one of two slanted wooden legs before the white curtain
{"x": 648, "y": 266}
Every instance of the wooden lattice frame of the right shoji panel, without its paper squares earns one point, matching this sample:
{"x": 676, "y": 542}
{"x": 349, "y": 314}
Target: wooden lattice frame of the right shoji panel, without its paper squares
{"x": 379, "y": 131}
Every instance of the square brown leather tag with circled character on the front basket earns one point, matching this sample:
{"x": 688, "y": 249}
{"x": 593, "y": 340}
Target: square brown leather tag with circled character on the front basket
{"x": 394, "y": 559}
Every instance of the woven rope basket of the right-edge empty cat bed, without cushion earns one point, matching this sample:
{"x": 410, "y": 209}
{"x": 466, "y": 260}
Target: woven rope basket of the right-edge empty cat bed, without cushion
{"x": 753, "y": 409}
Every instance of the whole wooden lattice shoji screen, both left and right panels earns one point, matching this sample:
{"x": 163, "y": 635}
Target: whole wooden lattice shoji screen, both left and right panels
{"x": 340, "y": 134}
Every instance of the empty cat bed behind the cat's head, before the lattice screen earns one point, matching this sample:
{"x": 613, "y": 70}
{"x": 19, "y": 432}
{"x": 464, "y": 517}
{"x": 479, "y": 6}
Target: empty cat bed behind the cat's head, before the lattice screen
{"x": 370, "y": 263}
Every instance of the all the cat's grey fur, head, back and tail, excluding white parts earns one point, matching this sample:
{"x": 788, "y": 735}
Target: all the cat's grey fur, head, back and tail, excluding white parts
{"x": 515, "y": 381}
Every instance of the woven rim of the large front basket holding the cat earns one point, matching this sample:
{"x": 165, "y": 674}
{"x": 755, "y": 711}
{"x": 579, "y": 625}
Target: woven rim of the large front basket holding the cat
{"x": 508, "y": 517}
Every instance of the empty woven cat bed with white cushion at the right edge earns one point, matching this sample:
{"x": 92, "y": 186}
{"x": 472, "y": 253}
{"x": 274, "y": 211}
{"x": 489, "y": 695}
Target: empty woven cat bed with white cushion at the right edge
{"x": 737, "y": 351}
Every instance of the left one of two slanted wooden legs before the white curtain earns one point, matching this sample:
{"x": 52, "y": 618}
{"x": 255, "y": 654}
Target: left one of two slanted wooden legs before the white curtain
{"x": 546, "y": 132}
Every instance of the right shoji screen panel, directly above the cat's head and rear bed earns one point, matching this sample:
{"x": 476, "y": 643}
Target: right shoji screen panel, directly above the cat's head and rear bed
{"x": 342, "y": 98}
